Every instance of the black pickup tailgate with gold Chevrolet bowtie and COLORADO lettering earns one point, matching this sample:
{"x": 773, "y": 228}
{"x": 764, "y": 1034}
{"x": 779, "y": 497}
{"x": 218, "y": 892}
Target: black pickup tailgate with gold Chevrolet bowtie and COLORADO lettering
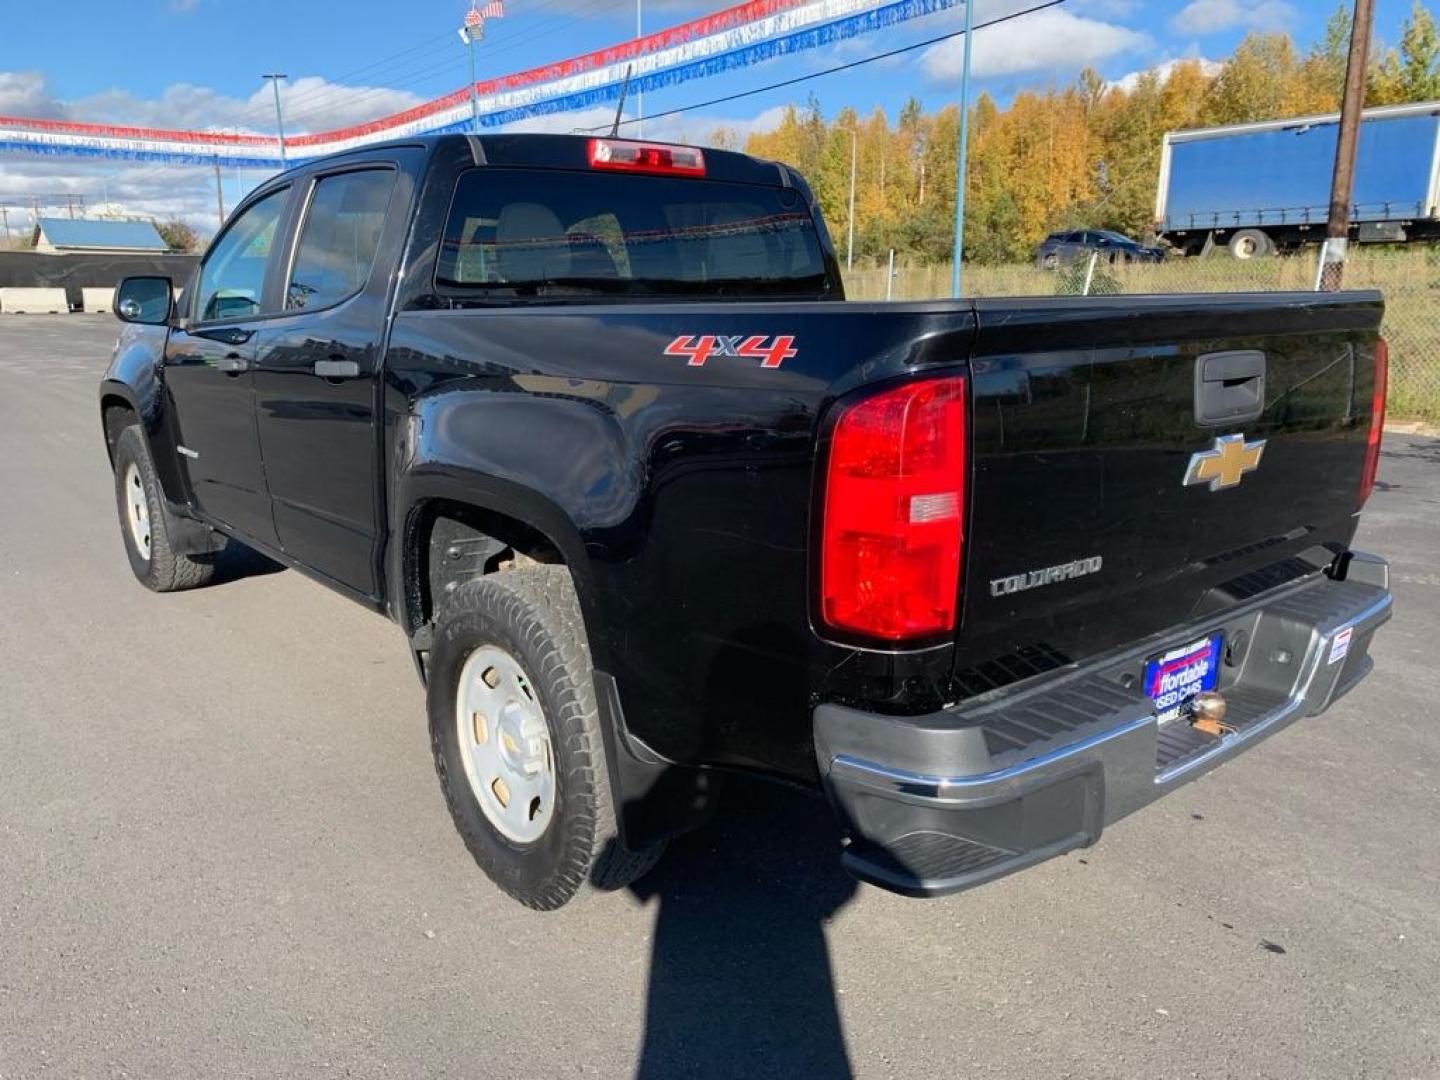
{"x": 1088, "y": 417}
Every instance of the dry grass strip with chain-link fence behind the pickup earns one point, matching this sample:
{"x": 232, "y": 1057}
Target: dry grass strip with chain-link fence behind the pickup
{"x": 1409, "y": 280}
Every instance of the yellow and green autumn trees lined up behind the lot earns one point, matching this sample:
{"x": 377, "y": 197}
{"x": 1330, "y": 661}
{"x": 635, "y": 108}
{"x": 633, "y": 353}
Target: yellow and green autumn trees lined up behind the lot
{"x": 1079, "y": 156}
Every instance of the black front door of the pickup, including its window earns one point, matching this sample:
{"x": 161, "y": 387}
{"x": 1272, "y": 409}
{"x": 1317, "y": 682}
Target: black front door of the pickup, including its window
{"x": 208, "y": 374}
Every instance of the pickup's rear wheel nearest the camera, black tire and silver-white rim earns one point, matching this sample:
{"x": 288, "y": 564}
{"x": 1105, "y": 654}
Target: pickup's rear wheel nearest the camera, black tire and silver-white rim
{"x": 518, "y": 744}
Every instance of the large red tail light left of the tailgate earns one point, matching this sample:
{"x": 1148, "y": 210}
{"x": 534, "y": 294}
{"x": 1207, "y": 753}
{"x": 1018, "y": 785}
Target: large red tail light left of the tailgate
{"x": 895, "y": 498}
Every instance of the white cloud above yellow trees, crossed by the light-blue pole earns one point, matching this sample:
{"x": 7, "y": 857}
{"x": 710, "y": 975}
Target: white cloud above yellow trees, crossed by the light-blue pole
{"x": 1048, "y": 41}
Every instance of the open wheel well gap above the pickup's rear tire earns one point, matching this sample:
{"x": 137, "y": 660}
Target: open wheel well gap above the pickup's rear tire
{"x": 453, "y": 544}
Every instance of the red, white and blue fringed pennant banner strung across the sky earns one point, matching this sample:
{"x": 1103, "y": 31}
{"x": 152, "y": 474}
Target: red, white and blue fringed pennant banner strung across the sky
{"x": 714, "y": 45}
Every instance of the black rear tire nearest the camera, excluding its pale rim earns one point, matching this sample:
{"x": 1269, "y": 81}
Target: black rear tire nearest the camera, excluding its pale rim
{"x": 534, "y": 616}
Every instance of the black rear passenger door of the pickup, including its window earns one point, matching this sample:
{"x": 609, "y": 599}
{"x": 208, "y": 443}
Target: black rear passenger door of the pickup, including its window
{"x": 316, "y": 381}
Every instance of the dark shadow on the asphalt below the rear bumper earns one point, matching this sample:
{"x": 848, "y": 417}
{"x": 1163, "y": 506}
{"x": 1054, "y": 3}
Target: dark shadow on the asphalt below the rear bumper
{"x": 741, "y": 980}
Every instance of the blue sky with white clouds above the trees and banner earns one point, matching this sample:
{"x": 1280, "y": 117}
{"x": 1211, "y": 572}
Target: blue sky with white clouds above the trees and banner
{"x": 198, "y": 63}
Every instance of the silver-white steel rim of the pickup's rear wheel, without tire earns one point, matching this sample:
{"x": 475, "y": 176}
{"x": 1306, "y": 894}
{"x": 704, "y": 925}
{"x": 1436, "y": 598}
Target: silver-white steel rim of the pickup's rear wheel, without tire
{"x": 506, "y": 745}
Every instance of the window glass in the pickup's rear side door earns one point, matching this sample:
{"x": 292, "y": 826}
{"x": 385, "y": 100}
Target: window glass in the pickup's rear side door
{"x": 341, "y": 238}
